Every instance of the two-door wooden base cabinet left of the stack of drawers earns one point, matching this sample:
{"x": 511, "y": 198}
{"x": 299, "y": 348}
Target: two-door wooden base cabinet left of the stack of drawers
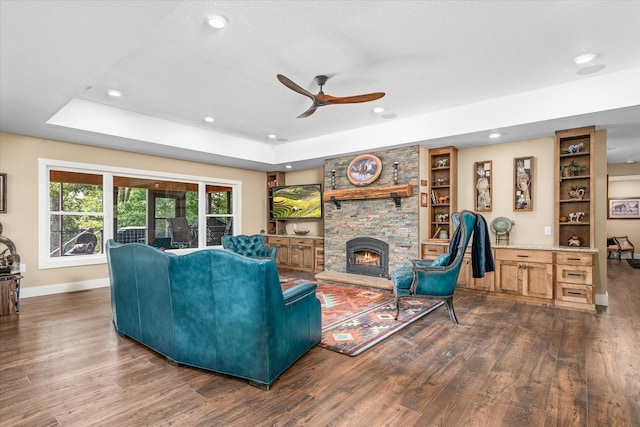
{"x": 524, "y": 272}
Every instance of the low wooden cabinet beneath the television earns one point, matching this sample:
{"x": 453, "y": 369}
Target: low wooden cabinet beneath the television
{"x": 298, "y": 253}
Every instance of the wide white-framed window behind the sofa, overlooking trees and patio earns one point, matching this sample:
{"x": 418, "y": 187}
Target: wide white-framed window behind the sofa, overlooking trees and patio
{"x": 89, "y": 204}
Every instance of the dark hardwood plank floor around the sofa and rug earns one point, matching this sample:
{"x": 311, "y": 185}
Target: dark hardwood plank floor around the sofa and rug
{"x": 505, "y": 364}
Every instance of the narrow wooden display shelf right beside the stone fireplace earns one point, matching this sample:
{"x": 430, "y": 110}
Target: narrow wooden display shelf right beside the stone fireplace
{"x": 443, "y": 184}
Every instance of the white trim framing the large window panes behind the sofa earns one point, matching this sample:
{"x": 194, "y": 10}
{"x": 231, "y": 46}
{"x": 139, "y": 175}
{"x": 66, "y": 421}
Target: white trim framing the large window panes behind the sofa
{"x": 44, "y": 165}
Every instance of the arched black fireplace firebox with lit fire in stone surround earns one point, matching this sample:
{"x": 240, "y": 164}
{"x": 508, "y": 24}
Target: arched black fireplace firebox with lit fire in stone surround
{"x": 368, "y": 256}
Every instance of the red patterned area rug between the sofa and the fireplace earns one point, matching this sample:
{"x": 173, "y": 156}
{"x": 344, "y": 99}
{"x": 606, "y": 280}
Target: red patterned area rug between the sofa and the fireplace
{"x": 355, "y": 319}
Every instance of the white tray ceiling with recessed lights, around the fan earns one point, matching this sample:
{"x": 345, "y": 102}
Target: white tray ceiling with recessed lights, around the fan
{"x": 452, "y": 71}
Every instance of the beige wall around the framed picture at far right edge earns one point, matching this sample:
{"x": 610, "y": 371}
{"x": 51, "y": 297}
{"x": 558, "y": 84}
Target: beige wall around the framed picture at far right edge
{"x": 624, "y": 181}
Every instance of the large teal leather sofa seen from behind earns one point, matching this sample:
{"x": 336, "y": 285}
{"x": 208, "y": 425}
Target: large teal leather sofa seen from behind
{"x": 212, "y": 309}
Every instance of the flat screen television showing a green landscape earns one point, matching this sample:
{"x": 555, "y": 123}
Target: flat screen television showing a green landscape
{"x": 296, "y": 202}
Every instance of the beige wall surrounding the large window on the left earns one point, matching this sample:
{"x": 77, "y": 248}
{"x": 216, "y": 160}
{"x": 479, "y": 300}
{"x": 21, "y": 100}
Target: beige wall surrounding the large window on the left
{"x": 19, "y": 160}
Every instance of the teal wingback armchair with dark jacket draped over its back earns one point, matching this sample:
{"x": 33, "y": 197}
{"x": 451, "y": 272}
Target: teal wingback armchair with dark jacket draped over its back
{"x": 436, "y": 279}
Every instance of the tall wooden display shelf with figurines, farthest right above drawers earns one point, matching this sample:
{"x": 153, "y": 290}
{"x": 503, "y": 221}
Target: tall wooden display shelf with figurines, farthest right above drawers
{"x": 575, "y": 183}
